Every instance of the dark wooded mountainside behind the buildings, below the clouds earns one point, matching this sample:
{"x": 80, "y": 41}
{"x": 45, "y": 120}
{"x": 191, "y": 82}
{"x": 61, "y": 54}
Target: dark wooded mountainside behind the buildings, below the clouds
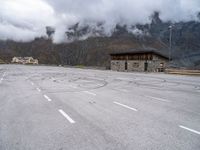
{"x": 90, "y": 46}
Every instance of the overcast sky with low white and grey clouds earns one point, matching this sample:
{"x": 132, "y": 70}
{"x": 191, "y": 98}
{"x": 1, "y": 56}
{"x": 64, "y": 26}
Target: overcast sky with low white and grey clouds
{"x": 23, "y": 20}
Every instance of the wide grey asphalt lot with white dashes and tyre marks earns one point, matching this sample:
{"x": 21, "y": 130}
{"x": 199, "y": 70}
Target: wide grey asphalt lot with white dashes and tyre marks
{"x": 56, "y": 108}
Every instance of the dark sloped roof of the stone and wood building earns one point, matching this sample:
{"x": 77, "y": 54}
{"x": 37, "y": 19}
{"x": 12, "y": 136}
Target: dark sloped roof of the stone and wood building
{"x": 140, "y": 51}
